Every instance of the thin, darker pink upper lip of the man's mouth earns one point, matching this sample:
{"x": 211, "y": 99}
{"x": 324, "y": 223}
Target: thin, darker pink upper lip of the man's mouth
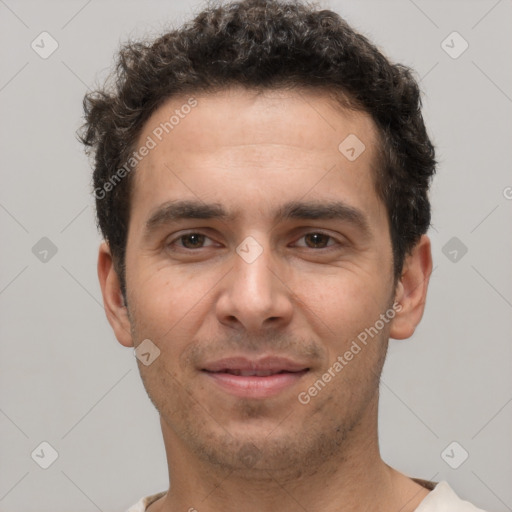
{"x": 264, "y": 364}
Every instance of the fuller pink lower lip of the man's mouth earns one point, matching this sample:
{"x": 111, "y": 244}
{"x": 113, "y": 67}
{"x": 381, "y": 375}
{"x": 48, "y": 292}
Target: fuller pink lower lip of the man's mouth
{"x": 253, "y": 386}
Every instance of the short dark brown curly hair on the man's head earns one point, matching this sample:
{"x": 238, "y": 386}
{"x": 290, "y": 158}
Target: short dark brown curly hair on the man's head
{"x": 263, "y": 44}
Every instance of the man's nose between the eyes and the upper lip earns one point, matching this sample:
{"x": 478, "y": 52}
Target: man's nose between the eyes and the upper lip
{"x": 255, "y": 295}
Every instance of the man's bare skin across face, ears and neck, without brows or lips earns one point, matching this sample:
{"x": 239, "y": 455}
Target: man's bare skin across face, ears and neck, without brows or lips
{"x": 200, "y": 301}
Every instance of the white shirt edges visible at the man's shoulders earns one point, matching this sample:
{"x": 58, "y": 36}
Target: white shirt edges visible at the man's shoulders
{"x": 441, "y": 499}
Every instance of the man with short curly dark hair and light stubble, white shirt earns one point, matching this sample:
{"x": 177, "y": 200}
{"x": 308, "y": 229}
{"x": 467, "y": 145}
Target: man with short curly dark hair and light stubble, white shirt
{"x": 261, "y": 180}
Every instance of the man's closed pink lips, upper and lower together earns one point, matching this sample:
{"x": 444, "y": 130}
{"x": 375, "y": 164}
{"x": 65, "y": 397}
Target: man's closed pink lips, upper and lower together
{"x": 261, "y": 378}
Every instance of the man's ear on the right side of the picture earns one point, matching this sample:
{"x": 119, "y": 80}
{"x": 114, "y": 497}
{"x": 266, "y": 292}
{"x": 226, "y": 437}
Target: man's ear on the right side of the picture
{"x": 411, "y": 290}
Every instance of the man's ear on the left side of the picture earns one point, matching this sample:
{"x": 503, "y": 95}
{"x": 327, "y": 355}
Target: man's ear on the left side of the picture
{"x": 115, "y": 309}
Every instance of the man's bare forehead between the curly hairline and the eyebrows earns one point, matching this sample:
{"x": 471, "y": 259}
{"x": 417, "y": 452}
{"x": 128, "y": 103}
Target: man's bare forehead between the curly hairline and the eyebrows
{"x": 205, "y": 144}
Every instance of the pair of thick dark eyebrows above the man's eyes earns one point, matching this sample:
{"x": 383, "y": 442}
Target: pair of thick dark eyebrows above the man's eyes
{"x": 173, "y": 211}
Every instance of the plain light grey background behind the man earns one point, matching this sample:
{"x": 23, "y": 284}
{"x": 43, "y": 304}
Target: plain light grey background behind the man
{"x": 65, "y": 380}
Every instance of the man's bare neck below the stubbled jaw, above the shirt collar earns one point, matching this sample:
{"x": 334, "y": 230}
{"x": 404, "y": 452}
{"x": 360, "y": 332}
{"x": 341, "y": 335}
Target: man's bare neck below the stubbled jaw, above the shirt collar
{"x": 354, "y": 479}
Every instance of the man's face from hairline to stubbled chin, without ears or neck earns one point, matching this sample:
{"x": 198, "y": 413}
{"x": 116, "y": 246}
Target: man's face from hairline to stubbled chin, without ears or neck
{"x": 223, "y": 296}
